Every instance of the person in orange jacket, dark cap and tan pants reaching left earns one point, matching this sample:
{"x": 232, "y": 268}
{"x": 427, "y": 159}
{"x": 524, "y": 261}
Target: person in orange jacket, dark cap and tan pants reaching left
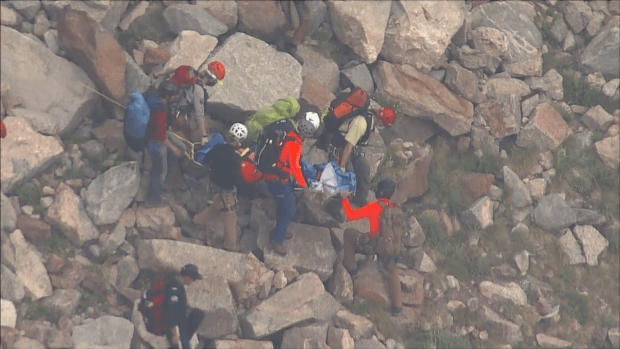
{"x": 384, "y": 238}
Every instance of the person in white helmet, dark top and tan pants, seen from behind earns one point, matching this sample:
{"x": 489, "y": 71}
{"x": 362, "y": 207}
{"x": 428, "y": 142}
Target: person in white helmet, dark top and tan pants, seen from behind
{"x": 224, "y": 162}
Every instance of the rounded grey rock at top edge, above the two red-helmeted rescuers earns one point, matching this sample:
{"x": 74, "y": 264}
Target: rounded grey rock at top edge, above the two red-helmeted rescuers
{"x": 182, "y": 17}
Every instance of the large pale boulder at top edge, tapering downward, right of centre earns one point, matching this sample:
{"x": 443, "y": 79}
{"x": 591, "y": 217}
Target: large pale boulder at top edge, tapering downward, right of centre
{"x": 418, "y": 32}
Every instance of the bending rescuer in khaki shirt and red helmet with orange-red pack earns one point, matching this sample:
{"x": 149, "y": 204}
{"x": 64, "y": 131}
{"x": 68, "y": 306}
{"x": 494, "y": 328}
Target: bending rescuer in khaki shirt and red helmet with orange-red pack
{"x": 347, "y": 147}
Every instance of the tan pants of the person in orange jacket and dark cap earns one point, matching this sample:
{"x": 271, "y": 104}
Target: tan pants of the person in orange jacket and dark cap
{"x": 352, "y": 245}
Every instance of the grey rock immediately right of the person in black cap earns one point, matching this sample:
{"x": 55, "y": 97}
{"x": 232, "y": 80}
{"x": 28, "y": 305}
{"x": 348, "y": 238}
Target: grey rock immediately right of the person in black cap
{"x": 213, "y": 296}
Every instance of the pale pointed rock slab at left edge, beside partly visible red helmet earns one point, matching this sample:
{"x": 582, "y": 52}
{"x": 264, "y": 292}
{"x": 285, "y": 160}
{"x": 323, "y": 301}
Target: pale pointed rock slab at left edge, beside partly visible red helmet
{"x": 29, "y": 152}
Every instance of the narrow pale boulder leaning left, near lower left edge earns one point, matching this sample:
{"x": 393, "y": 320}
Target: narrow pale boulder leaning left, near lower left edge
{"x": 29, "y": 267}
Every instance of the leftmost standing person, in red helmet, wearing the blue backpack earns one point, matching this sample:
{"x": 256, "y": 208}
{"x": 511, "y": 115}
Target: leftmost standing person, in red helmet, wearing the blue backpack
{"x": 163, "y": 147}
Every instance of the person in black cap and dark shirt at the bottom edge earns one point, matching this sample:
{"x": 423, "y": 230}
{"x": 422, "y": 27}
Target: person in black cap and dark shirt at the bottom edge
{"x": 182, "y": 325}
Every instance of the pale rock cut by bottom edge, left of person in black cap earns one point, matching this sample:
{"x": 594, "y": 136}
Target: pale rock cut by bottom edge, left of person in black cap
{"x": 105, "y": 331}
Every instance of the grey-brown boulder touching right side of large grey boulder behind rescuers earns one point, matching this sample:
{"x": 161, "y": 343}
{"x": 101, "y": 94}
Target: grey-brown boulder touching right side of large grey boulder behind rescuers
{"x": 322, "y": 70}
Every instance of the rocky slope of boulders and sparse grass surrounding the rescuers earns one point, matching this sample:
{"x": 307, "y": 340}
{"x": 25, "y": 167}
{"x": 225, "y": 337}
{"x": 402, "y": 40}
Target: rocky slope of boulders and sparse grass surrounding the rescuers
{"x": 506, "y": 151}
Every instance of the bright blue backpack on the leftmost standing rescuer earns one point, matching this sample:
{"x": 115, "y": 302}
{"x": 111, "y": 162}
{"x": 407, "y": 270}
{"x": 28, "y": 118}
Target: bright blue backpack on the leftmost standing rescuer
{"x": 137, "y": 117}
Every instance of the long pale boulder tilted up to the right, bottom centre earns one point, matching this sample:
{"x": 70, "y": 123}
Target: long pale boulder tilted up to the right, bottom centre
{"x": 287, "y": 307}
